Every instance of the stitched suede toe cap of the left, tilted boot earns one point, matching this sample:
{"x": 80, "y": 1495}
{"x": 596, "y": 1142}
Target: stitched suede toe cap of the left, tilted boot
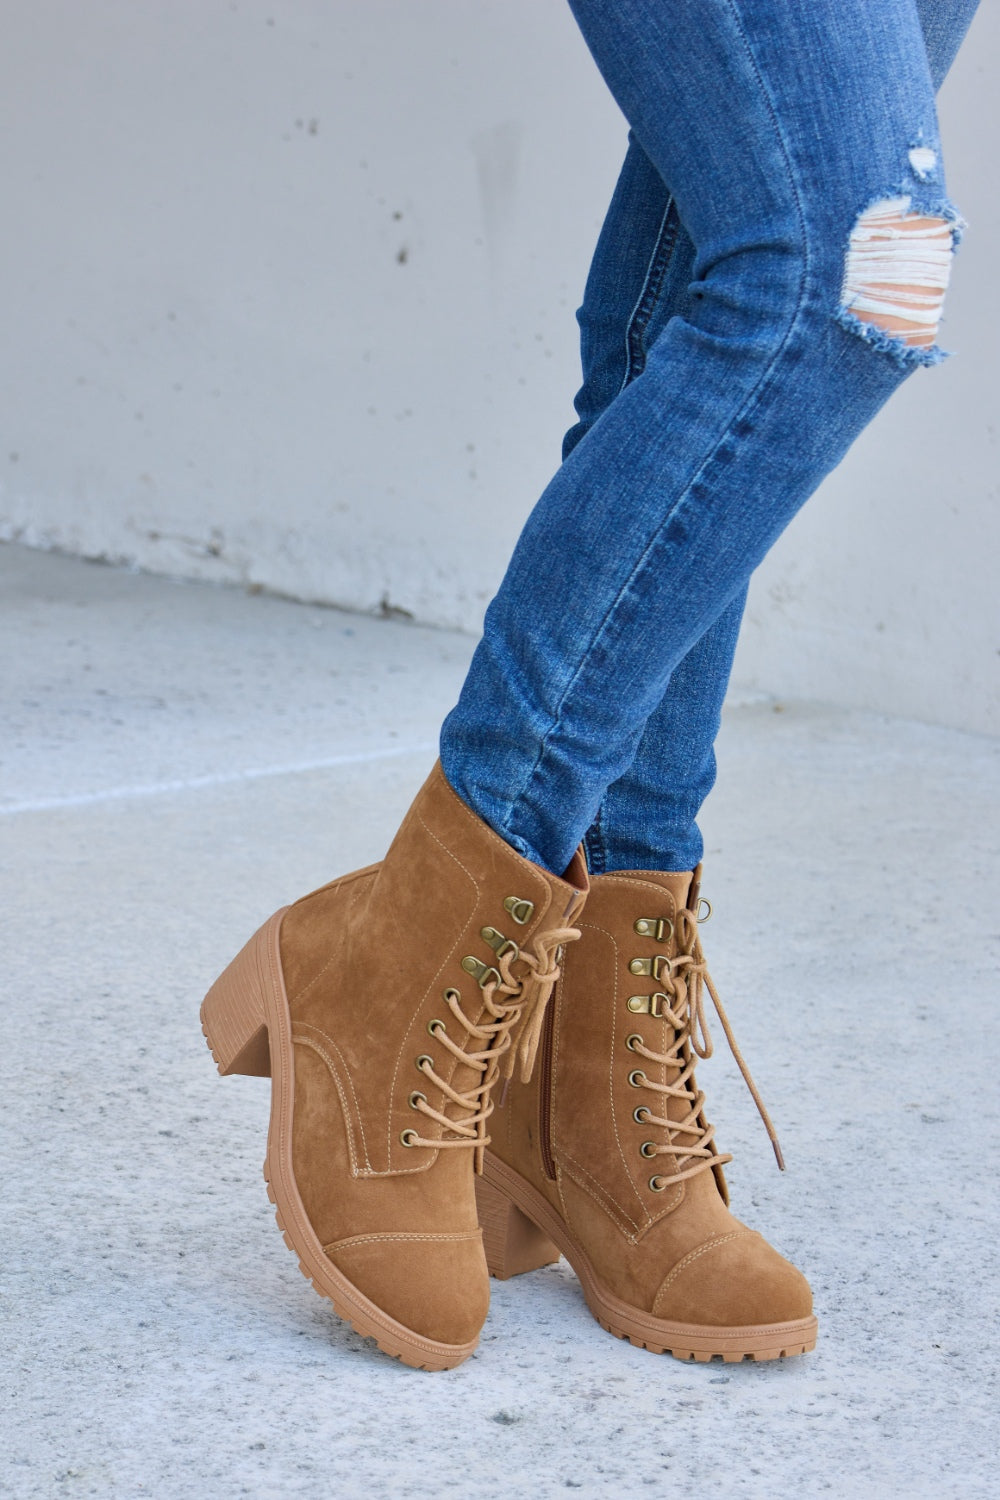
{"x": 437, "y": 1286}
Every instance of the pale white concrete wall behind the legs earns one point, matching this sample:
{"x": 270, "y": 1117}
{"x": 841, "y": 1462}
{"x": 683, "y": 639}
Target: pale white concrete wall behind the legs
{"x": 290, "y": 302}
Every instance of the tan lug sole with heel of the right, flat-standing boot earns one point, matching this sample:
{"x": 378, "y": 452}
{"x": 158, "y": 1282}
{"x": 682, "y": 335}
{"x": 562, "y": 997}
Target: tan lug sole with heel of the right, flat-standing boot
{"x": 690, "y": 1342}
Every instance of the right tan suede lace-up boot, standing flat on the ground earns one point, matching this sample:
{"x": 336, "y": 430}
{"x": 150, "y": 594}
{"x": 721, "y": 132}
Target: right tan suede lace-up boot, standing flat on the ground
{"x": 606, "y": 1157}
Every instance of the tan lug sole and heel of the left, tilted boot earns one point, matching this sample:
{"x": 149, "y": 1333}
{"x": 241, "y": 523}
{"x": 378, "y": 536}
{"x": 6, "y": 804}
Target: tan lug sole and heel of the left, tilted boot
{"x": 247, "y": 1024}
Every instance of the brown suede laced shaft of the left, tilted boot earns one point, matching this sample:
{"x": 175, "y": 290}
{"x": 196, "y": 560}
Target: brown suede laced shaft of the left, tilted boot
{"x": 383, "y": 965}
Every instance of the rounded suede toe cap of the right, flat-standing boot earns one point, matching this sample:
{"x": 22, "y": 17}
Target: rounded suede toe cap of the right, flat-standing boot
{"x": 735, "y": 1280}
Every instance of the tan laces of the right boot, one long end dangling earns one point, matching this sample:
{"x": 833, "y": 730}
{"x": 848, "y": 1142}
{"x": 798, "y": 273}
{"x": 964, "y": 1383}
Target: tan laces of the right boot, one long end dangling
{"x": 684, "y": 982}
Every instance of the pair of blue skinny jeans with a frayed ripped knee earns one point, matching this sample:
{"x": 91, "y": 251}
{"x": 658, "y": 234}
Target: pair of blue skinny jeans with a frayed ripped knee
{"x": 723, "y": 379}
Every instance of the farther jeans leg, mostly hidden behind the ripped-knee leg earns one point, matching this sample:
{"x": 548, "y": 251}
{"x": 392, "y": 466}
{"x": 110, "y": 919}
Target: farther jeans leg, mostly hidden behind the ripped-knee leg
{"x": 639, "y": 280}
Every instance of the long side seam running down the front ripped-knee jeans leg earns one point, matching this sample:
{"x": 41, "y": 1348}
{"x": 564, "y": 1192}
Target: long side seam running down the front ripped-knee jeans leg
{"x": 750, "y": 403}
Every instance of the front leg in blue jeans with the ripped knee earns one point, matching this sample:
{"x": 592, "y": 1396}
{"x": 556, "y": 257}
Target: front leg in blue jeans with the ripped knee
{"x": 663, "y": 509}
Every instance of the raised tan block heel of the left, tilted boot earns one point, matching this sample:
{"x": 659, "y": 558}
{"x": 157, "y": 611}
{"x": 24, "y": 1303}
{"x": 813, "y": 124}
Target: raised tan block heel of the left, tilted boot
{"x": 235, "y": 1010}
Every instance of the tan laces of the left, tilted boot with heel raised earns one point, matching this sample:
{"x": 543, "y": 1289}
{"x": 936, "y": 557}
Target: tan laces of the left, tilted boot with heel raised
{"x": 516, "y": 1009}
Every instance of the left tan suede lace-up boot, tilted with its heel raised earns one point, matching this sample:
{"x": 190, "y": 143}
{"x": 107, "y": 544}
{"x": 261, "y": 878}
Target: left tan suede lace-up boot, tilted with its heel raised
{"x": 385, "y": 1009}
